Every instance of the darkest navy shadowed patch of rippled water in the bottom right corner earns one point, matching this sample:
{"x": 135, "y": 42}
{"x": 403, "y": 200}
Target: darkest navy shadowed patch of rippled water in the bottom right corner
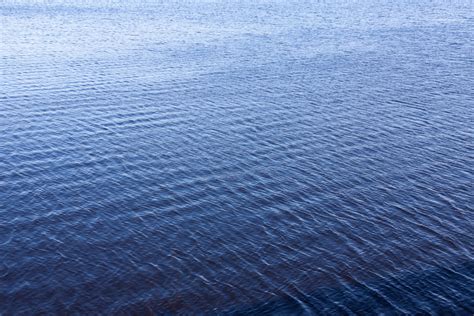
{"x": 375, "y": 297}
